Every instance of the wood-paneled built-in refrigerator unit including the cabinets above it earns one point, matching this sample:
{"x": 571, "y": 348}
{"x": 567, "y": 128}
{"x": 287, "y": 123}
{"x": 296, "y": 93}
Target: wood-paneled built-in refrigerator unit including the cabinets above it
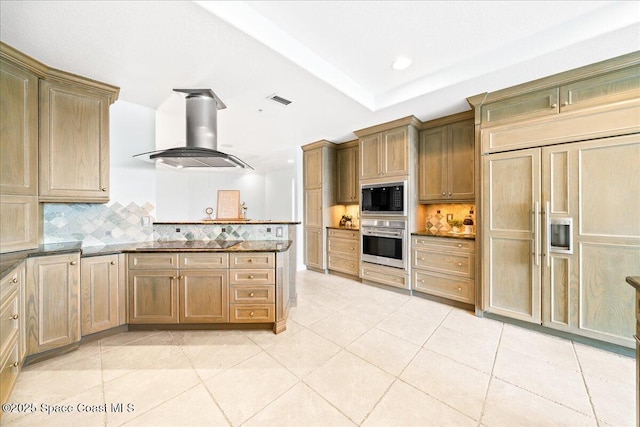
{"x": 541, "y": 170}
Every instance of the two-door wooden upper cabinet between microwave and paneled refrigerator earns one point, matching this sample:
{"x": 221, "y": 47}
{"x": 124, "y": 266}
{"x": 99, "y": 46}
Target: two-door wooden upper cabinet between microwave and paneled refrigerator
{"x": 447, "y": 162}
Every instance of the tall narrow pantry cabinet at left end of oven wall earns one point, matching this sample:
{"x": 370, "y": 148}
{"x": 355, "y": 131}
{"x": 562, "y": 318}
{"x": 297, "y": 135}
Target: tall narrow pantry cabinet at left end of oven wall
{"x": 319, "y": 164}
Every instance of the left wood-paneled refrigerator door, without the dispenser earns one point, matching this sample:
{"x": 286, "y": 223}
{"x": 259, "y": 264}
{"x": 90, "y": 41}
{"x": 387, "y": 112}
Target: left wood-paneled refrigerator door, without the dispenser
{"x": 511, "y": 261}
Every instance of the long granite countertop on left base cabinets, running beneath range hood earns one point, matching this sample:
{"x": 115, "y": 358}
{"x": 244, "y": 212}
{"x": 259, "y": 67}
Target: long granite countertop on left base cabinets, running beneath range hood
{"x": 9, "y": 261}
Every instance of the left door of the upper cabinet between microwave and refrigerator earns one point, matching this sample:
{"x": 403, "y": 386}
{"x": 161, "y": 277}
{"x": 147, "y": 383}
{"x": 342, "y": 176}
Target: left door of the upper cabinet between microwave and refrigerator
{"x": 432, "y": 175}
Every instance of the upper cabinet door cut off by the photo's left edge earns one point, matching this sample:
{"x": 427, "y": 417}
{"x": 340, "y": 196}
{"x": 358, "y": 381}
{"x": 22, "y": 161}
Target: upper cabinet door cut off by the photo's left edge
{"x": 18, "y": 130}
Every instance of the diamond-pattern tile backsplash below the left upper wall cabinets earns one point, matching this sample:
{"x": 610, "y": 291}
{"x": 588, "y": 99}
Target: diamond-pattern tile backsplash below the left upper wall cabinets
{"x": 95, "y": 224}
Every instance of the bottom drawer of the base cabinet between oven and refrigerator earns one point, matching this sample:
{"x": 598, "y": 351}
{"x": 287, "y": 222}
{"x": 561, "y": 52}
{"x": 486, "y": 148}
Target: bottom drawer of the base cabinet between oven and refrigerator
{"x": 457, "y": 288}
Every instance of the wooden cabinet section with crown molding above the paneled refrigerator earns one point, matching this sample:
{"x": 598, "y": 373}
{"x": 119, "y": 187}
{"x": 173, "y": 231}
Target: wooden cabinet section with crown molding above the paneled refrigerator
{"x": 595, "y": 101}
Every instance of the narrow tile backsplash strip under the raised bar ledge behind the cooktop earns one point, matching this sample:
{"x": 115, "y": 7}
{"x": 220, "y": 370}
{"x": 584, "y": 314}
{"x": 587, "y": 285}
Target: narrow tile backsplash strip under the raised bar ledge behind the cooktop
{"x": 165, "y": 232}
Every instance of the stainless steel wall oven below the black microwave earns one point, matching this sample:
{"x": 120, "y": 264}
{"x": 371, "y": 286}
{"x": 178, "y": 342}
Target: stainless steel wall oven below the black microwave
{"x": 383, "y": 242}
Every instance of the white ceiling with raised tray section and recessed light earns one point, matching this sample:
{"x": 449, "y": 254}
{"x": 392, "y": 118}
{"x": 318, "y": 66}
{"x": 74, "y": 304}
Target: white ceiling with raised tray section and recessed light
{"x": 331, "y": 58}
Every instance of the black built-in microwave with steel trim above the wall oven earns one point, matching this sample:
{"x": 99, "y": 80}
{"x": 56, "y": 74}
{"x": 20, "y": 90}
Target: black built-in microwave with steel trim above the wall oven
{"x": 384, "y": 199}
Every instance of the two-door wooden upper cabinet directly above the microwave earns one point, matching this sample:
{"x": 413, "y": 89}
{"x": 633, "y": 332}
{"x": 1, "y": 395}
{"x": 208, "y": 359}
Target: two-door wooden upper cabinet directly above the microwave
{"x": 387, "y": 153}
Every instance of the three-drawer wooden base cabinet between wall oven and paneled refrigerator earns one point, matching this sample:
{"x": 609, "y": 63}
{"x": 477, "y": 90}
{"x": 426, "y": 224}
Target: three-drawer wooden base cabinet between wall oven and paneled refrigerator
{"x": 444, "y": 267}
